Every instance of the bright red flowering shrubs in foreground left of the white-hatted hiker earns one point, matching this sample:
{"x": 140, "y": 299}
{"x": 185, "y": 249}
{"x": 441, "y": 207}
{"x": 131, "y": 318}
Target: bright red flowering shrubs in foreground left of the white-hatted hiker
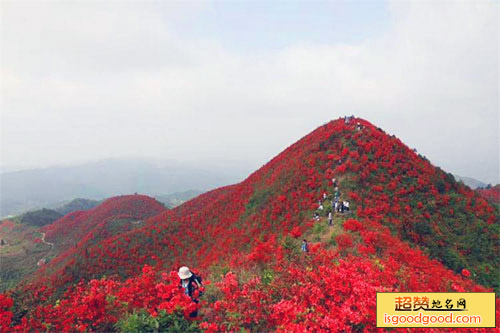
{"x": 99, "y": 304}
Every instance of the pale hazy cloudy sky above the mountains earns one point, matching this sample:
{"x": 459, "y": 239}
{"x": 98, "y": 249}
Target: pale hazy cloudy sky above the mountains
{"x": 218, "y": 81}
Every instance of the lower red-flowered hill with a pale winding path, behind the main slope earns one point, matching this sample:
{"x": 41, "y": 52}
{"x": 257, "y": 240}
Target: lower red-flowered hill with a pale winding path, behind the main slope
{"x": 26, "y": 244}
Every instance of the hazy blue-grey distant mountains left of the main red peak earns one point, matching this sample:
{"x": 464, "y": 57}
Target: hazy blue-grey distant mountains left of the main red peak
{"x": 51, "y": 187}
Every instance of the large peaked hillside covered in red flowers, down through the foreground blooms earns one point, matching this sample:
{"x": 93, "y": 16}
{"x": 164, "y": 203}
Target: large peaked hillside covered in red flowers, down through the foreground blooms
{"x": 411, "y": 227}
